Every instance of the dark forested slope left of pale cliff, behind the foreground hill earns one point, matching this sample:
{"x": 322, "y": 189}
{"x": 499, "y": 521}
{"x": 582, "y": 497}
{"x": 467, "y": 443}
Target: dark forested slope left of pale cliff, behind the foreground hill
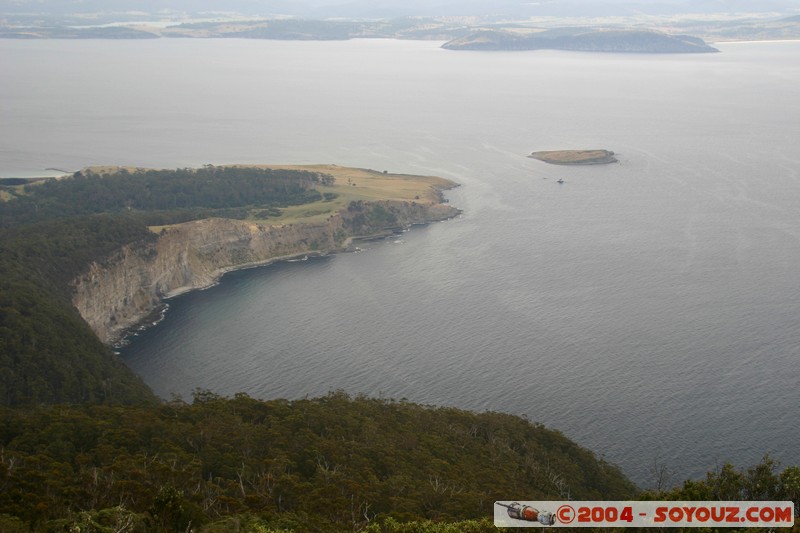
{"x": 47, "y": 351}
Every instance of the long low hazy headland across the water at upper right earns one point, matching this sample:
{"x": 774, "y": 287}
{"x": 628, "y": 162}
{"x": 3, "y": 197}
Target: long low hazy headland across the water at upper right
{"x": 586, "y": 40}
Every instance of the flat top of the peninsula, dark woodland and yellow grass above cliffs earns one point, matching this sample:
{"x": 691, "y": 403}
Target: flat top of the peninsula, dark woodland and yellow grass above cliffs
{"x": 277, "y": 193}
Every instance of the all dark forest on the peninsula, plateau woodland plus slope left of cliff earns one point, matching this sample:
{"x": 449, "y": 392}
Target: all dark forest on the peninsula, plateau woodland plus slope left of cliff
{"x": 51, "y": 230}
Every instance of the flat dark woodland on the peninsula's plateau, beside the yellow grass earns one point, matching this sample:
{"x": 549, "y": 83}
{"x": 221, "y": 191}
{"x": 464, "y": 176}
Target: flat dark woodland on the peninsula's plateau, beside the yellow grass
{"x": 163, "y": 196}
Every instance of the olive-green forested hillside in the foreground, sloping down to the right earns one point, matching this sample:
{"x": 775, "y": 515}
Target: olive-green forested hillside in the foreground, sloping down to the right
{"x": 327, "y": 464}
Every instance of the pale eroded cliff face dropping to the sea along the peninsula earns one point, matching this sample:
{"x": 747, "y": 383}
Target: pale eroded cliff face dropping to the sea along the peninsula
{"x": 119, "y": 292}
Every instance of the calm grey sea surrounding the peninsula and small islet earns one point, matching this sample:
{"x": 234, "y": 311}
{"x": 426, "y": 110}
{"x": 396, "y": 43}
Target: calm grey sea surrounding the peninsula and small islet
{"x": 648, "y": 309}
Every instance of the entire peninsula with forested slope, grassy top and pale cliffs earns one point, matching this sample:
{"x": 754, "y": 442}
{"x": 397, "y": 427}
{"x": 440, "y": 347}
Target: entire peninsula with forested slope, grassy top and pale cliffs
{"x": 85, "y": 257}
